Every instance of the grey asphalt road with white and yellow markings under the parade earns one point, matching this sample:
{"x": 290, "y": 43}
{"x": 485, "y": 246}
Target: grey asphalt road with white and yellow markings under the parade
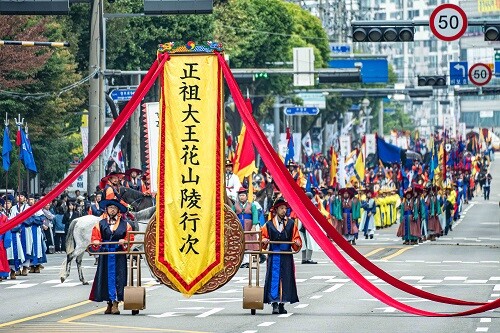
{"x": 464, "y": 265}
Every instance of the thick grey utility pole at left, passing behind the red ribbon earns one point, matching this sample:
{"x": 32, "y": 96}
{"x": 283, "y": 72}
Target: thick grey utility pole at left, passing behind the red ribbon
{"x": 93, "y": 174}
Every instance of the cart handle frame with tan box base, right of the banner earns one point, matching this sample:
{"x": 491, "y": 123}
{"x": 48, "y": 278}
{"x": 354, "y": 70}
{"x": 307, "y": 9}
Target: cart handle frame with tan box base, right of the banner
{"x": 253, "y": 295}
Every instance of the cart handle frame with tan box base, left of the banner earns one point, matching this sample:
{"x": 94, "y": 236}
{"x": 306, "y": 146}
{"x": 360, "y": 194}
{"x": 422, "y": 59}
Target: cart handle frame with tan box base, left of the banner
{"x": 134, "y": 296}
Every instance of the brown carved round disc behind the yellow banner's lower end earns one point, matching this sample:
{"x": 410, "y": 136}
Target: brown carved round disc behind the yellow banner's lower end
{"x": 233, "y": 253}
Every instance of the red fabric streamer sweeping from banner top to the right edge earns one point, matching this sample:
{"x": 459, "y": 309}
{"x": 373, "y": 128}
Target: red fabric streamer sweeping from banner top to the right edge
{"x": 296, "y": 196}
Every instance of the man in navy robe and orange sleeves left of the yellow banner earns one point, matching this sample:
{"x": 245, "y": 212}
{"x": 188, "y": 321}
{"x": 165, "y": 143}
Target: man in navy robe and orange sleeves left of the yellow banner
{"x": 111, "y": 275}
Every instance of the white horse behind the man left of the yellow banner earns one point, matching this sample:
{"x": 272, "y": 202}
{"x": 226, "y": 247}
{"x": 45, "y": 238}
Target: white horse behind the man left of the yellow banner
{"x": 80, "y": 232}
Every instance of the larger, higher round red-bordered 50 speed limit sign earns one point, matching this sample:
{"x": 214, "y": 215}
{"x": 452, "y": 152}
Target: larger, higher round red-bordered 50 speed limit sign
{"x": 448, "y": 22}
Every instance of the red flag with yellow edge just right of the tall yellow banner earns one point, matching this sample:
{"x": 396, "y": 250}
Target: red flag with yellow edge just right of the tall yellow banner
{"x": 244, "y": 160}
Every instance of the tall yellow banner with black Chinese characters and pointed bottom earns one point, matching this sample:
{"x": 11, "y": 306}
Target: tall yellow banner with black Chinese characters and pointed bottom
{"x": 190, "y": 215}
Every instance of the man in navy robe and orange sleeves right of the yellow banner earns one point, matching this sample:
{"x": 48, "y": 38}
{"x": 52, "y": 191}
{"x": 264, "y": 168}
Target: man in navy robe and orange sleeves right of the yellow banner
{"x": 280, "y": 285}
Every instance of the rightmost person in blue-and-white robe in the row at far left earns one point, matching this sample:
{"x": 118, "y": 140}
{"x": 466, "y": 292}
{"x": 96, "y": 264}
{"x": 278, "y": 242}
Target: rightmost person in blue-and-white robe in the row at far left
{"x": 38, "y": 256}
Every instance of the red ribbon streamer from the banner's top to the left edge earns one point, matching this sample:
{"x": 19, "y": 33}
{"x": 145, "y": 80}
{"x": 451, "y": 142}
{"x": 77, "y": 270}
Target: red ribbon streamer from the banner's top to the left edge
{"x": 141, "y": 91}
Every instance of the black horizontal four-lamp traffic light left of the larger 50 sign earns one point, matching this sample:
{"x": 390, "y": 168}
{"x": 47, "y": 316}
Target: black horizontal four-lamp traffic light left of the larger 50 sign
{"x": 382, "y": 33}
